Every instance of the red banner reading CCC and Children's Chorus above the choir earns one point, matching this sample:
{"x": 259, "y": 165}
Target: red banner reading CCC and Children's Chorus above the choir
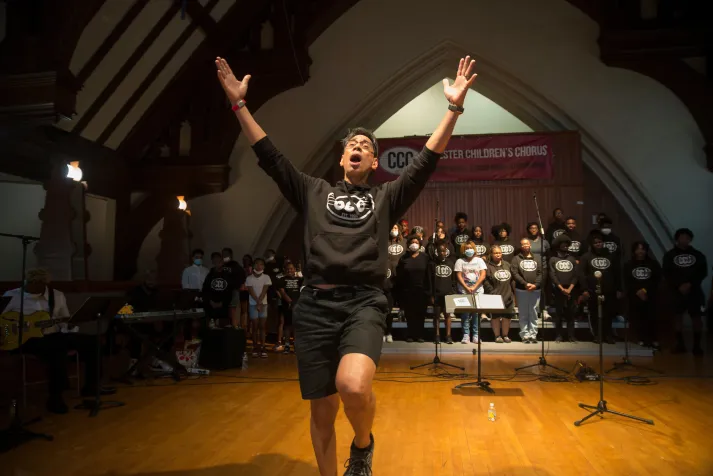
{"x": 496, "y": 157}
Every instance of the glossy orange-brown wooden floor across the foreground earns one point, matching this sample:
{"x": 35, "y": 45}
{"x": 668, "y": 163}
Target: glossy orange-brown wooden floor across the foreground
{"x": 253, "y": 423}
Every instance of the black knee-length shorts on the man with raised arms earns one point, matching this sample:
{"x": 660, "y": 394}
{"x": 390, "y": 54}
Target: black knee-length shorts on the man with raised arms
{"x": 330, "y": 324}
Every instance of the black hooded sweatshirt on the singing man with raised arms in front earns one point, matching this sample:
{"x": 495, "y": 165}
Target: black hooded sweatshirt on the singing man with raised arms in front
{"x": 346, "y": 227}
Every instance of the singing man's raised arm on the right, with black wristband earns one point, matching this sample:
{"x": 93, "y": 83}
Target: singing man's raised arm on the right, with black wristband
{"x": 406, "y": 188}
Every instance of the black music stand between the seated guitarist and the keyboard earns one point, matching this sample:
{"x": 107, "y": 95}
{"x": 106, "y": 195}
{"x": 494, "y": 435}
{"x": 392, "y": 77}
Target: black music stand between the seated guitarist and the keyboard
{"x": 98, "y": 309}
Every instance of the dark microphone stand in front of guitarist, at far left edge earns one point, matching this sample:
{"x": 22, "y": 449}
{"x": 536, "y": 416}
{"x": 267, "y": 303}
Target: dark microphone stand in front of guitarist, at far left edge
{"x": 16, "y": 434}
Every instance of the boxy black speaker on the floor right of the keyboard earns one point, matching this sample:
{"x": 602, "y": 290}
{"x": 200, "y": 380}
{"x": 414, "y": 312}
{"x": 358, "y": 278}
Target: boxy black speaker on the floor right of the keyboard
{"x": 223, "y": 349}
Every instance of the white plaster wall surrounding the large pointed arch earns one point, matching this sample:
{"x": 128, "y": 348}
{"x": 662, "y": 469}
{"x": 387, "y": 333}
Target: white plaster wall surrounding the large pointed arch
{"x": 548, "y": 52}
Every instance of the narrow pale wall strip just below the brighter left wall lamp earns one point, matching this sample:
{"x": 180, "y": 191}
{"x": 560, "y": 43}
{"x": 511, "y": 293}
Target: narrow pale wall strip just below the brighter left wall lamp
{"x": 100, "y": 235}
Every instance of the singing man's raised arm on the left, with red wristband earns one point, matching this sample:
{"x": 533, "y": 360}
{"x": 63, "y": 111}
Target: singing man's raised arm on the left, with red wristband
{"x": 292, "y": 183}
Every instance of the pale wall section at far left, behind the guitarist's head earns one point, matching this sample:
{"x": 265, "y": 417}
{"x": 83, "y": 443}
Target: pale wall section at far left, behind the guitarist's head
{"x": 20, "y": 203}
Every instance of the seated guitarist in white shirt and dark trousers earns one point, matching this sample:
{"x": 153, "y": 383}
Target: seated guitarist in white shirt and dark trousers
{"x": 58, "y": 340}
